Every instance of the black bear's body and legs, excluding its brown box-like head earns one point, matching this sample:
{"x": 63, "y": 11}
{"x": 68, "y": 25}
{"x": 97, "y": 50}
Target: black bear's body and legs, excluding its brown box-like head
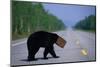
{"x": 41, "y": 39}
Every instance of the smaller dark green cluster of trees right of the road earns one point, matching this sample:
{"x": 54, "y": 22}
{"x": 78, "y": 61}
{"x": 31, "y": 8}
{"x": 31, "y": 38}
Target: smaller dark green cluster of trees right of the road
{"x": 88, "y": 24}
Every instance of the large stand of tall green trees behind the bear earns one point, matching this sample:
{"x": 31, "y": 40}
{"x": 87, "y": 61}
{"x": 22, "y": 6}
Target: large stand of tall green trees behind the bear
{"x": 28, "y": 17}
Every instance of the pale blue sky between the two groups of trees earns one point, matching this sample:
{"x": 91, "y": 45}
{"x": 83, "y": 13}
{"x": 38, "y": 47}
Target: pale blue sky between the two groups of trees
{"x": 70, "y": 14}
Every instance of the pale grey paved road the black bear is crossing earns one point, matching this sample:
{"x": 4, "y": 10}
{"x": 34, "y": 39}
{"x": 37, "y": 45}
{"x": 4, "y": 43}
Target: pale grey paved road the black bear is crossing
{"x": 80, "y": 46}
